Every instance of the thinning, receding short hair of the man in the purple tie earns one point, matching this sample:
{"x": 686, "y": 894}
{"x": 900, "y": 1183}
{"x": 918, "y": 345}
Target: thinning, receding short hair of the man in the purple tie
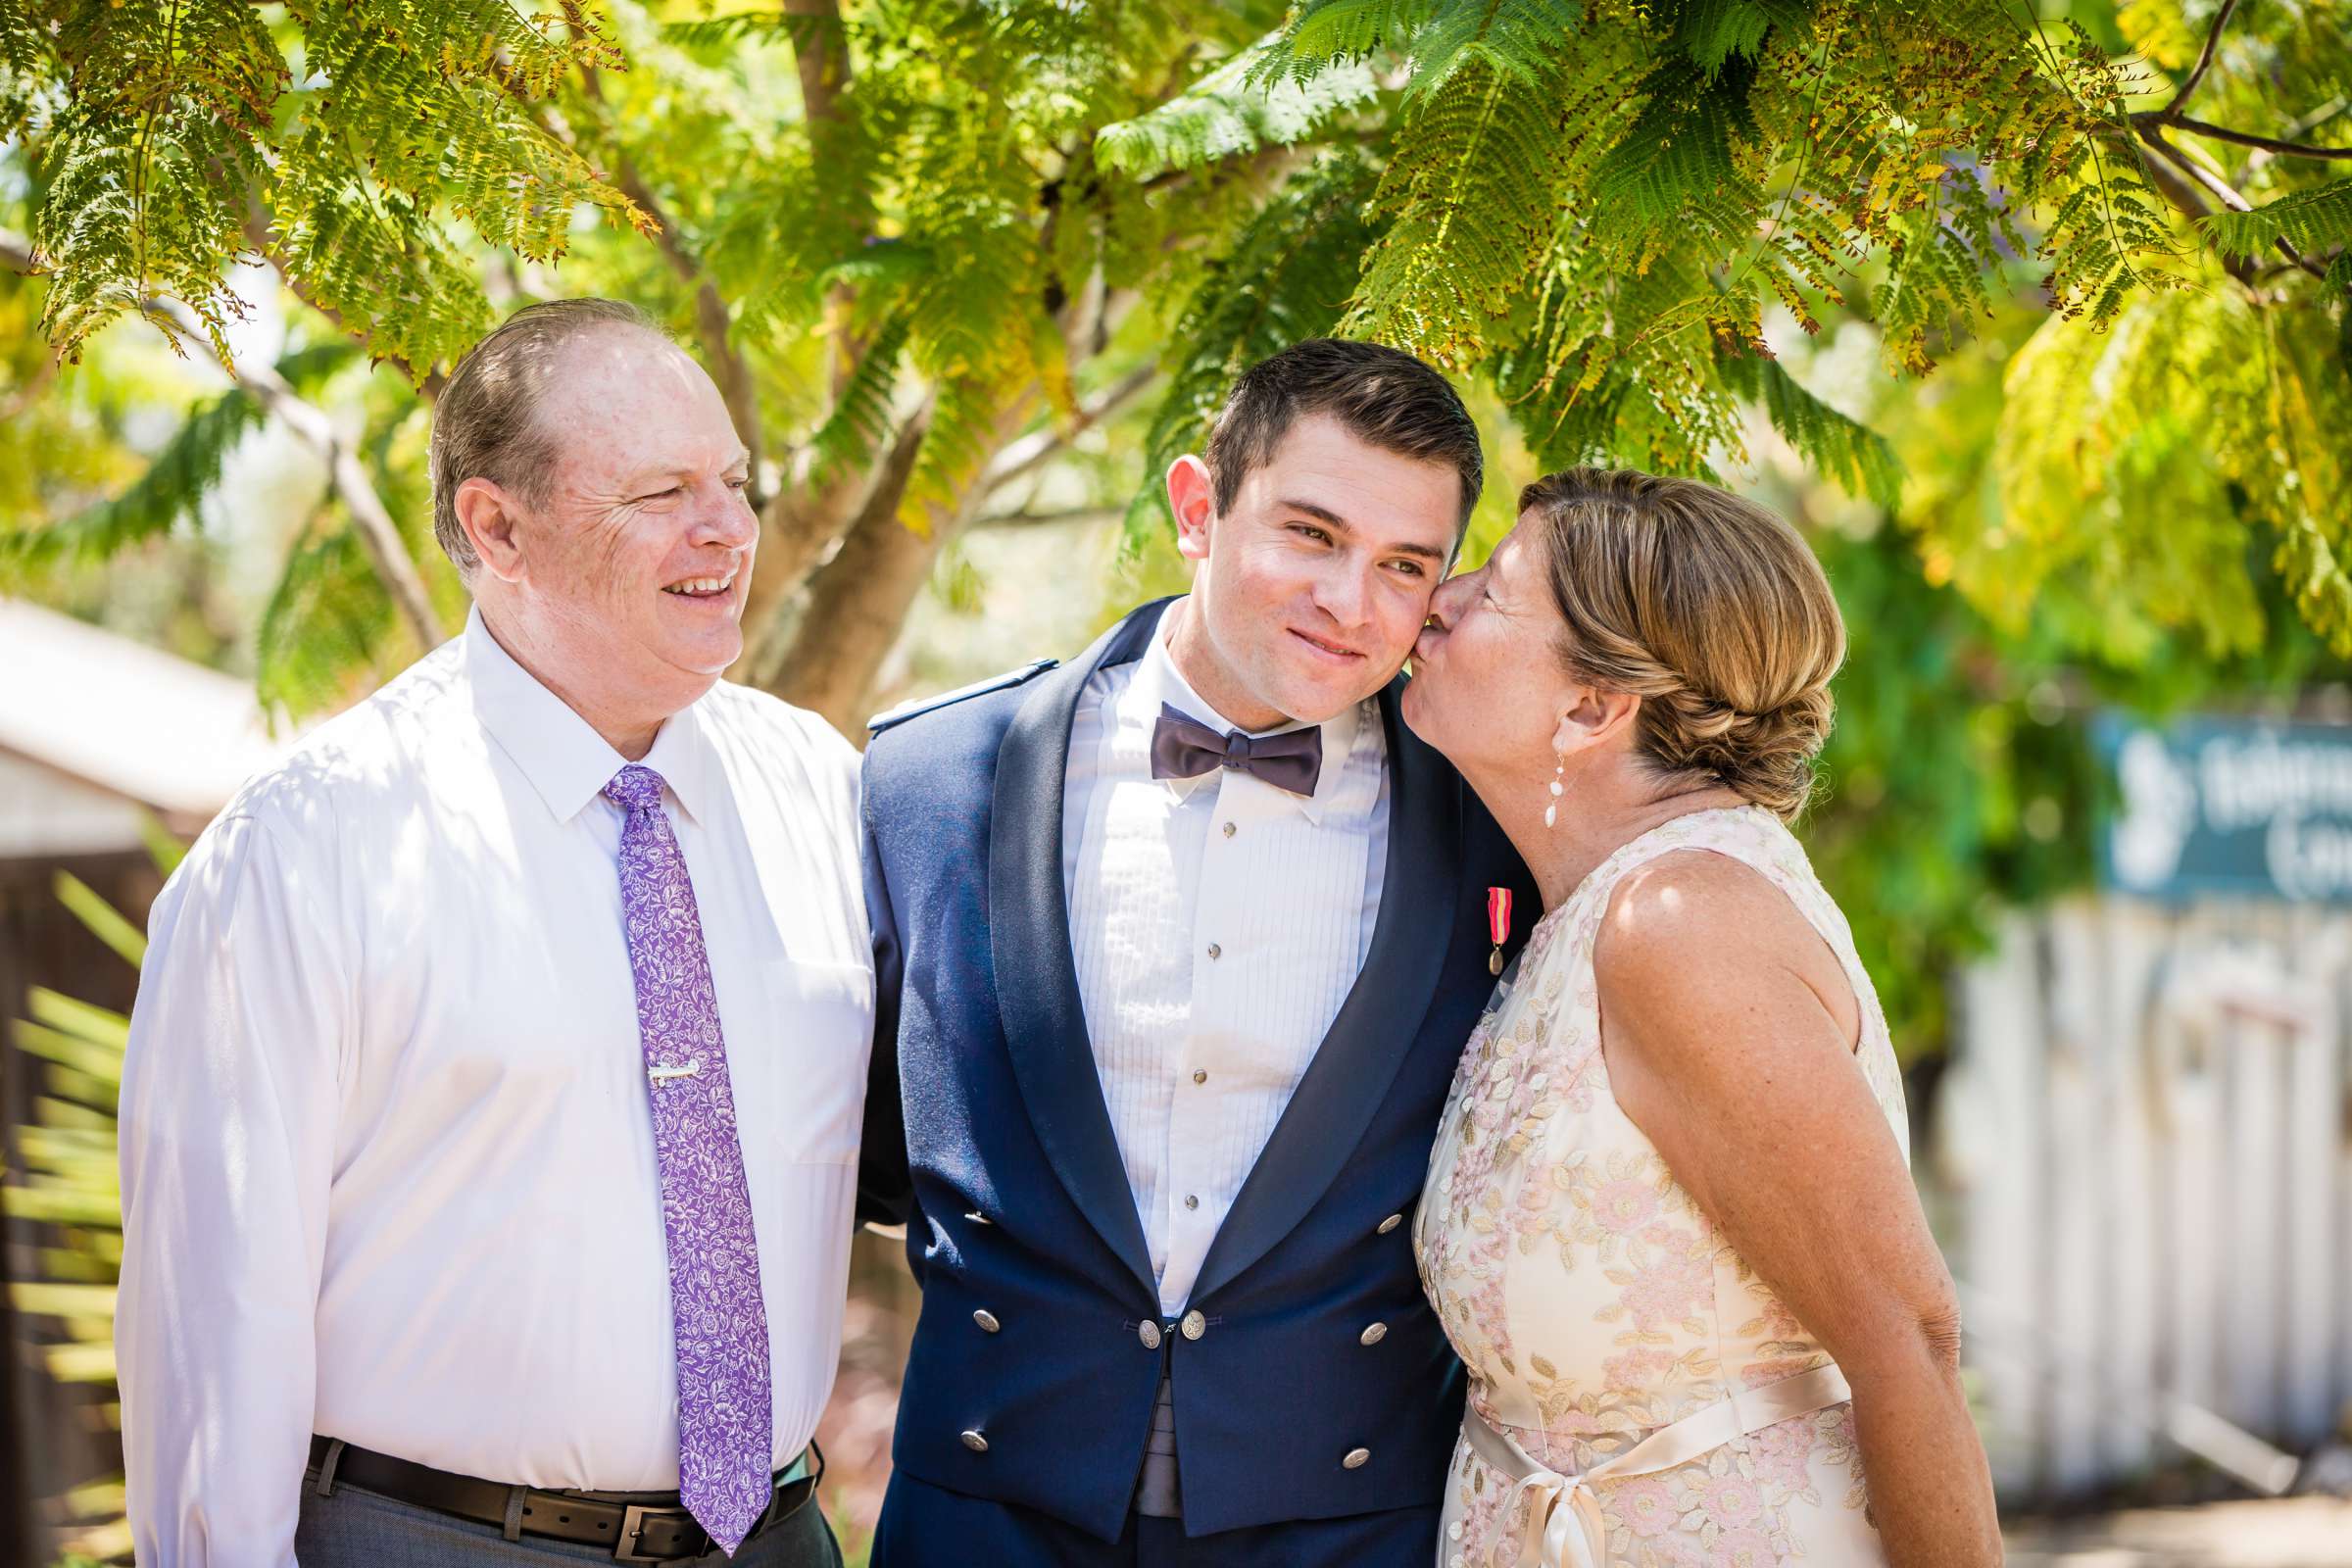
{"x": 486, "y": 422}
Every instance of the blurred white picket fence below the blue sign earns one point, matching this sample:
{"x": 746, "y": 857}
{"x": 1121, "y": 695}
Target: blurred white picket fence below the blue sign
{"x": 2149, "y": 1141}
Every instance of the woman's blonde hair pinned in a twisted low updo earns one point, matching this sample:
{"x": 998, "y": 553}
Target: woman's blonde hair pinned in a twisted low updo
{"x": 1706, "y": 608}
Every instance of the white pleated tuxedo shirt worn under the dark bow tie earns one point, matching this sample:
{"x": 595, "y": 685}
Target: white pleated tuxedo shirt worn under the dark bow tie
{"x": 1217, "y": 925}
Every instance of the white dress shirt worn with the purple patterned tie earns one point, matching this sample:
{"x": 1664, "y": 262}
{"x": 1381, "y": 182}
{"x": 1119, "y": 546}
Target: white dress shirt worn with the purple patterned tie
{"x": 387, "y": 1151}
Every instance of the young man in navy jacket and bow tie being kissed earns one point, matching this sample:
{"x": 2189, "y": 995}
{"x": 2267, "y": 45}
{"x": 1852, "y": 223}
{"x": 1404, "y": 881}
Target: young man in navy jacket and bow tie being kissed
{"x": 1177, "y": 951}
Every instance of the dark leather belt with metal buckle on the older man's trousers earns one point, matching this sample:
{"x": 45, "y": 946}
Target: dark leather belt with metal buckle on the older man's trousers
{"x": 639, "y": 1527}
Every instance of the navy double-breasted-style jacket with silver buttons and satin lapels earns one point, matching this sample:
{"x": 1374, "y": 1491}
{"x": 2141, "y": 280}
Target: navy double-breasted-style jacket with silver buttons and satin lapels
{"x": 1034, "y": 1374}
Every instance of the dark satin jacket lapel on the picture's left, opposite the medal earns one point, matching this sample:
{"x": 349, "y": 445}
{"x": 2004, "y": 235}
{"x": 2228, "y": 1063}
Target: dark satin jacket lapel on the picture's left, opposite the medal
{"x": 1029, "y": 937}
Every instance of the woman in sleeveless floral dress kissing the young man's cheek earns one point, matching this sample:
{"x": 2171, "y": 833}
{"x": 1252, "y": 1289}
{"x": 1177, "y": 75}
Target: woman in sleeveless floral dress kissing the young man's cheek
{"x": 1669, "y": 1219}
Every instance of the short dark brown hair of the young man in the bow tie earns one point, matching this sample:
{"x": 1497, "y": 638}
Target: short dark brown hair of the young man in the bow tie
{"x": 1382, "y": 396}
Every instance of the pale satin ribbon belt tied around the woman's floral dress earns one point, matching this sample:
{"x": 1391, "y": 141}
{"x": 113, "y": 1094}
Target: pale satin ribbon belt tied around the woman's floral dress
{"x": 1565, "y": 1515}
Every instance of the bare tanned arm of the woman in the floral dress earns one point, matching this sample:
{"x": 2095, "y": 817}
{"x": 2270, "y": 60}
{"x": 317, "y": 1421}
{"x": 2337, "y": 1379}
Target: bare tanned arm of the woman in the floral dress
{"x": 1728, "y": 1028}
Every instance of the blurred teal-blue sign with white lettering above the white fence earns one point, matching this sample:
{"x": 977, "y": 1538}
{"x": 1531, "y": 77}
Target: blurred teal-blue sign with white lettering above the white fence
{"x": 2229, "y": 808}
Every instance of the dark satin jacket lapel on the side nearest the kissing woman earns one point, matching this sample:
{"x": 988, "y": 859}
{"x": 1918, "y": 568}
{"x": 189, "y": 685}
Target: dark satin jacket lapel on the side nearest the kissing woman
{"x": 1377, "y": 1024}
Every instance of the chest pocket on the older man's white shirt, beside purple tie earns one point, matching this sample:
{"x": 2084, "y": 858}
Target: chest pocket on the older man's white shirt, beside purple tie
{"x": 820, "y": 1026}
